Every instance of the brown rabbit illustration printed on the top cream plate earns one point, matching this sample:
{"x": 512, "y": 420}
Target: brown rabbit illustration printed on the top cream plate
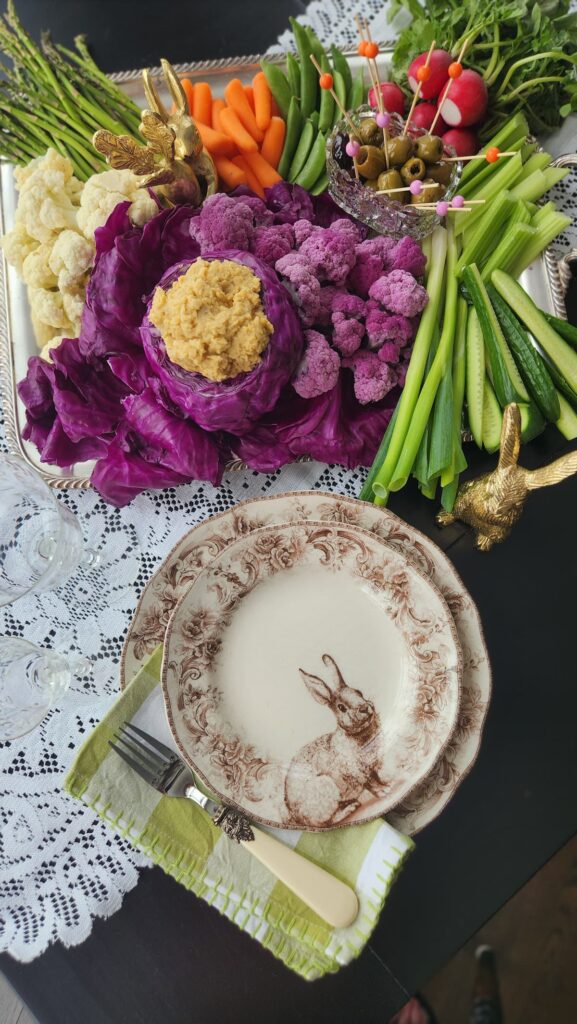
{"x": 333, "y": 776}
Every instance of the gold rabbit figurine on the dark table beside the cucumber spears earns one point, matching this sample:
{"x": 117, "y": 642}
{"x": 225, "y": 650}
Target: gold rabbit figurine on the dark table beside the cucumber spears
{"x": 493, "y": 503}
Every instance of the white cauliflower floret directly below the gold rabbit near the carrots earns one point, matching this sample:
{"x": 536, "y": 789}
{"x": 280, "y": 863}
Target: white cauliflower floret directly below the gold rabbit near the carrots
{"x": 104, "y": 192}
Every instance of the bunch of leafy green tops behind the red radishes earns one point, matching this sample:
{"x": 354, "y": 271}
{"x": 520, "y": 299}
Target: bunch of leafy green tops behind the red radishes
{"x": 526, "y": 52}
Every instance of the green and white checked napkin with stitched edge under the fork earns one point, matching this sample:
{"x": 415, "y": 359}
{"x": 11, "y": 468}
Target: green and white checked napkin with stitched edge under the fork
{"x": 181, "y": 839}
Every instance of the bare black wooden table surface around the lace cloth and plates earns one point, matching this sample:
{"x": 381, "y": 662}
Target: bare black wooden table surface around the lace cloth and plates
{"x": 167, "y": 957}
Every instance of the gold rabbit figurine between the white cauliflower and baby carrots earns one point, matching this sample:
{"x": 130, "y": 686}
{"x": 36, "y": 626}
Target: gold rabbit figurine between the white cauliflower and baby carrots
{"x": 174, "y": 160}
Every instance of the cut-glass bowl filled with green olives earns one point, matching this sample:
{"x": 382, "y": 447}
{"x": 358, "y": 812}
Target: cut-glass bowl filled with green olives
{"x": 416, "y": 156}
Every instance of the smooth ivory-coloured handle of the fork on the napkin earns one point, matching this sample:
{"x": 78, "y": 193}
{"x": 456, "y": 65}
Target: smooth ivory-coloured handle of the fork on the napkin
{"x": 335, "y": 902}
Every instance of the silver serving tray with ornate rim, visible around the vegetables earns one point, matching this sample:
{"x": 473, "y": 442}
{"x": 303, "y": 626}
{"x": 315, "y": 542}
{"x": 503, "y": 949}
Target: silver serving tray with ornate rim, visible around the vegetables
{"x": 546, "y": 281}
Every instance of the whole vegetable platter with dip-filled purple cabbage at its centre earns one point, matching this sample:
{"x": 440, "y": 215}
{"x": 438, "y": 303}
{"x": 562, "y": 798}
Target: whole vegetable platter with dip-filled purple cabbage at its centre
{"x": 181, "y": 327}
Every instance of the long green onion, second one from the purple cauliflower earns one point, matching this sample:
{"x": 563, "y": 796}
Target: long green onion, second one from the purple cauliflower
{"x": 442, "y": 361}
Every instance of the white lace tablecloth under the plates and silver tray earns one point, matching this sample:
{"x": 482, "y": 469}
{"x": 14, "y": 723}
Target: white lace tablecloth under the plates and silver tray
{"x": 60, "y": 866}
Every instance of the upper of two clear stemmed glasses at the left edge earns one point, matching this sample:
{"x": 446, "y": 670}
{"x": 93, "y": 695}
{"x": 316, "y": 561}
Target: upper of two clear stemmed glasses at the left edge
{"x": 42, "y": 541}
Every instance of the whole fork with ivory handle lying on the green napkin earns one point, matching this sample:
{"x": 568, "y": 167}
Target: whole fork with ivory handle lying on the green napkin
{"x": 162, "y": 769}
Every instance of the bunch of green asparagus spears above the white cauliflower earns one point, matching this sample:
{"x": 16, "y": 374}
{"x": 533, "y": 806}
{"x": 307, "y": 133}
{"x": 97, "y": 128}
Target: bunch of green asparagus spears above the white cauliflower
{"x": 51, "y": 96}
